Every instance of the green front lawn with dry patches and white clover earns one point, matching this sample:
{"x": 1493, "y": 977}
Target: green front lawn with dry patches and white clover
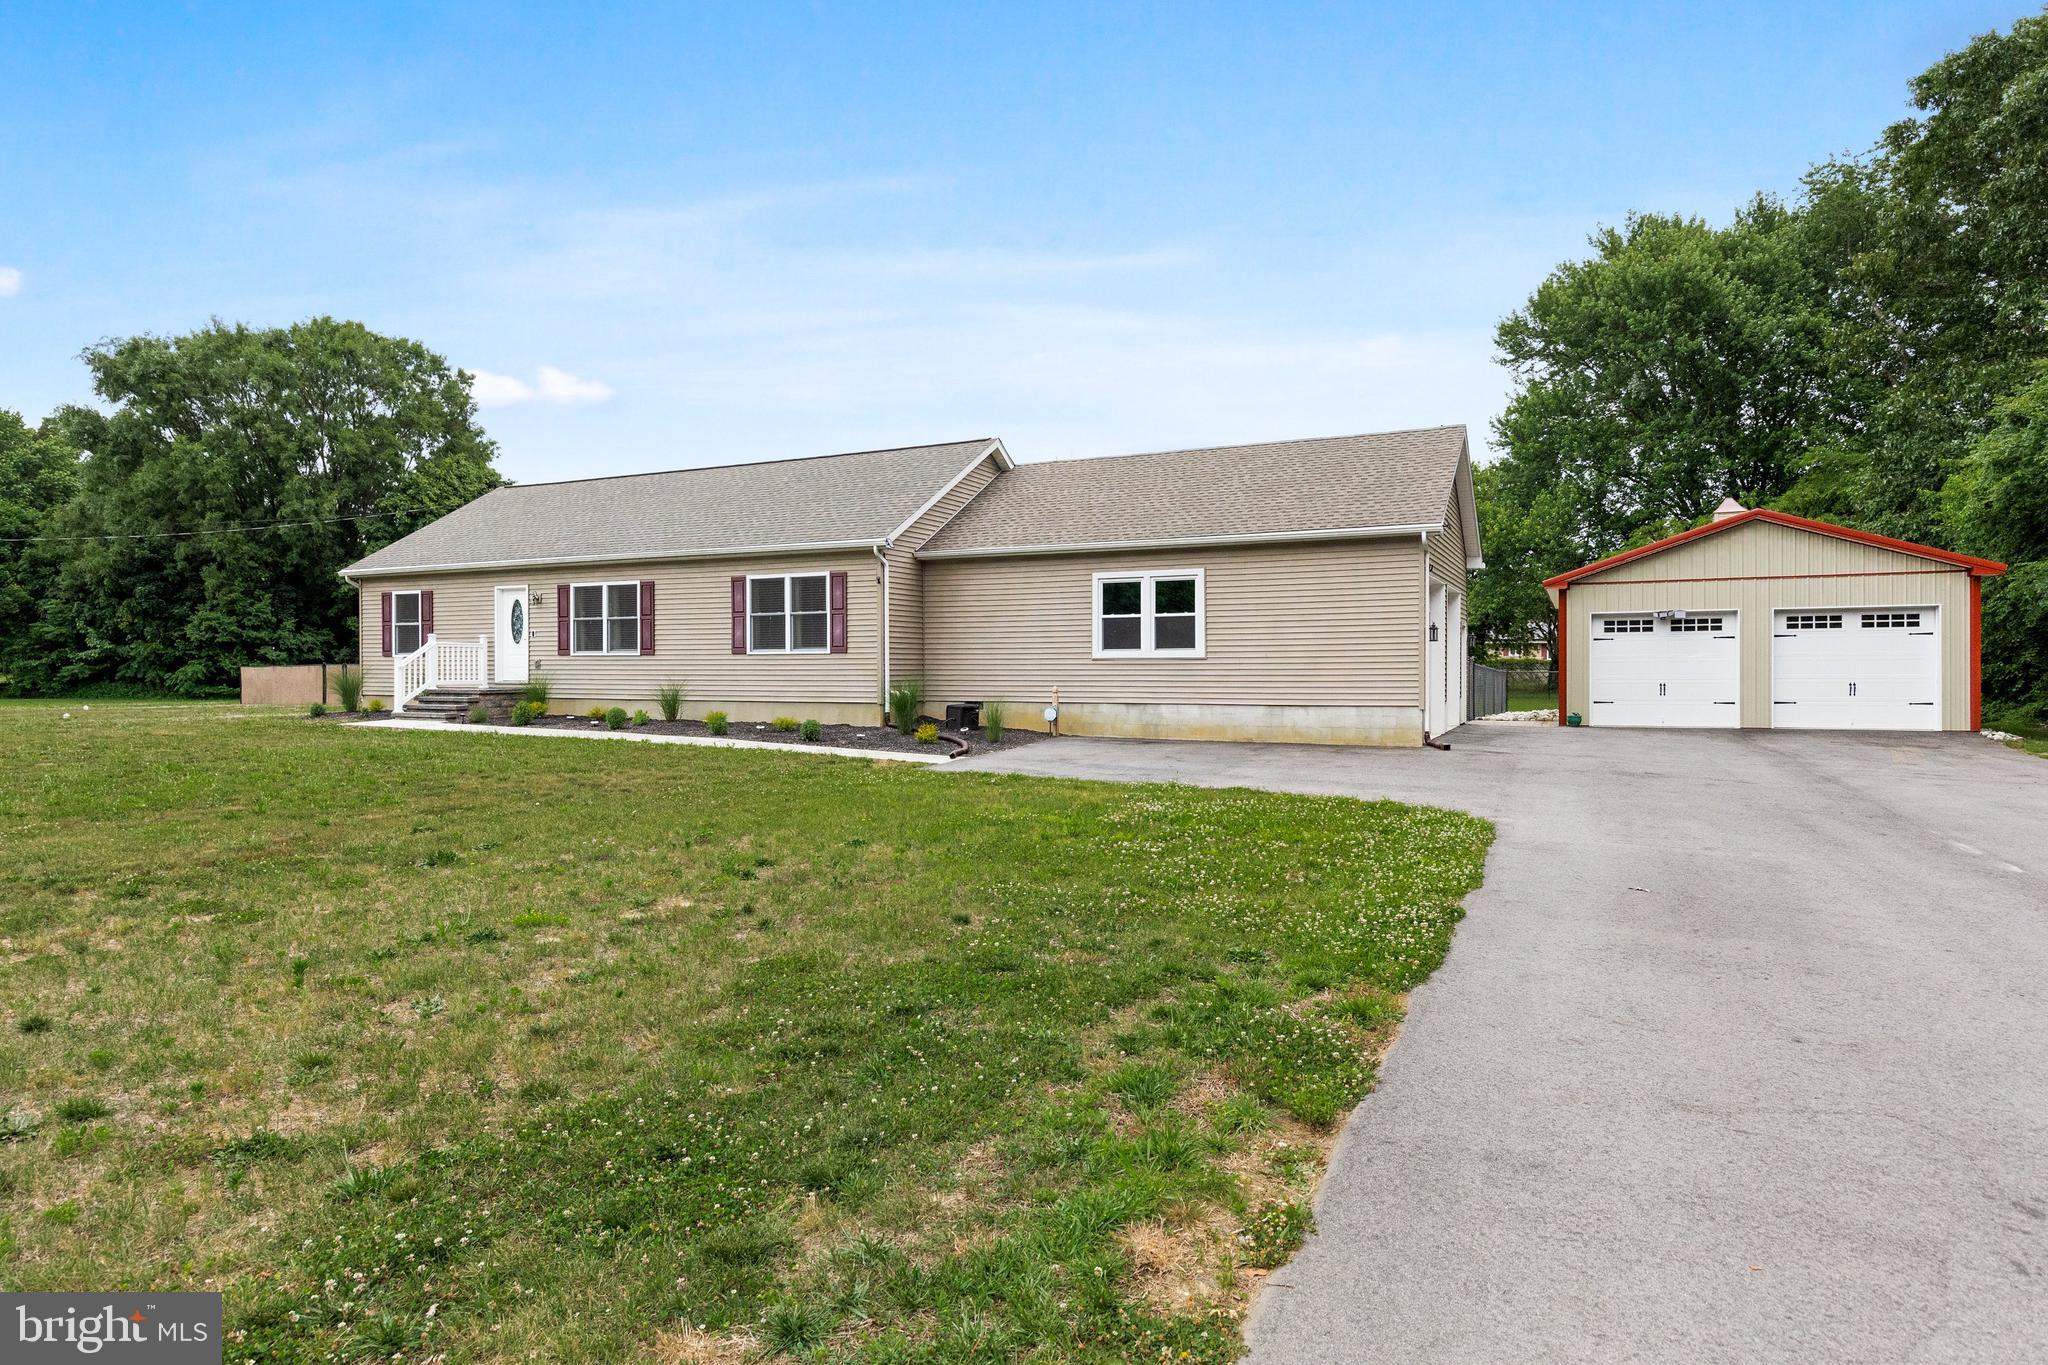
{"x": 505, "y": 1049}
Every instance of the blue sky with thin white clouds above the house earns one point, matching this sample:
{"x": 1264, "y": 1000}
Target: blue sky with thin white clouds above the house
{"x": 699, "y": 234}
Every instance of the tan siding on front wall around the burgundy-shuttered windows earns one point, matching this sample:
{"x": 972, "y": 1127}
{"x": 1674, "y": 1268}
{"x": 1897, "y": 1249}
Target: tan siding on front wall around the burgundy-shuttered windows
{"x": 693, "y": 633}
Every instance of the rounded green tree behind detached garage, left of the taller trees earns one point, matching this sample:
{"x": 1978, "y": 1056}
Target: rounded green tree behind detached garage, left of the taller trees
{"x": 1676, "y": 367}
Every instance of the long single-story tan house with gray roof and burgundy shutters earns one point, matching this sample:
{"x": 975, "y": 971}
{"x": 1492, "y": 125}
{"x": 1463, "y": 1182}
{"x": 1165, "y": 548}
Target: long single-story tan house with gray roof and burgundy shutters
{"x": 1306, "y": 590}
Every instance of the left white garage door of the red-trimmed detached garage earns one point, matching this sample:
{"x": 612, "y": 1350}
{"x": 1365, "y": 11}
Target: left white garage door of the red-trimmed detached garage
{"x": 1666, "y": 670}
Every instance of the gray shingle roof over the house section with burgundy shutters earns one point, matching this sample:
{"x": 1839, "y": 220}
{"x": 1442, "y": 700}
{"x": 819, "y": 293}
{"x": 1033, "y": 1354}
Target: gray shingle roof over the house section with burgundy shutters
{"x": 822, "y": 500}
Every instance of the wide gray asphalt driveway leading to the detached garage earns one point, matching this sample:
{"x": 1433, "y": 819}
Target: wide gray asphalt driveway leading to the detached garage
{"x": 1742, "y": 1055}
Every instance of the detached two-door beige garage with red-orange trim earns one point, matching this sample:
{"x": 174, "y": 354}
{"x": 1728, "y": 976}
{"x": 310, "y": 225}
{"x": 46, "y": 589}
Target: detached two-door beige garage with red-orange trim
{"x": 1764, "y": 619}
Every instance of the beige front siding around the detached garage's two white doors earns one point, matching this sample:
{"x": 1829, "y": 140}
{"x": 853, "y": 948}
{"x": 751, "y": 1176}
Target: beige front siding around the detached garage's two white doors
{"x": 1758, "y": 570}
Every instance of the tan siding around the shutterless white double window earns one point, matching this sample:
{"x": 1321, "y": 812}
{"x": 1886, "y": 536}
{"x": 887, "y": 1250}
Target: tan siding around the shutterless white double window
{"x": 1285, "y": 625}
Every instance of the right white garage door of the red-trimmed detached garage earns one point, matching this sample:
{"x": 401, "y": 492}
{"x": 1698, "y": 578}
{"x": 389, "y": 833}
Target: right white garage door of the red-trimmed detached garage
{"x": 1867, "y": 668}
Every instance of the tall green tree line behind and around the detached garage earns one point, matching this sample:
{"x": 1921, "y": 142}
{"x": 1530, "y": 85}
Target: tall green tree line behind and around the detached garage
{"x": 1873, "y": 353}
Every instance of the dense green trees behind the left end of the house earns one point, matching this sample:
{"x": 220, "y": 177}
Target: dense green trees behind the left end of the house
{"x": 202, "y": 521}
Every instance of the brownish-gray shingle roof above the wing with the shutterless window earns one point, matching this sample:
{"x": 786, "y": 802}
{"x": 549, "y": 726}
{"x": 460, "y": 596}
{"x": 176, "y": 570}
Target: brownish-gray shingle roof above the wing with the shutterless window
{"x": 1283, "y": 488}
